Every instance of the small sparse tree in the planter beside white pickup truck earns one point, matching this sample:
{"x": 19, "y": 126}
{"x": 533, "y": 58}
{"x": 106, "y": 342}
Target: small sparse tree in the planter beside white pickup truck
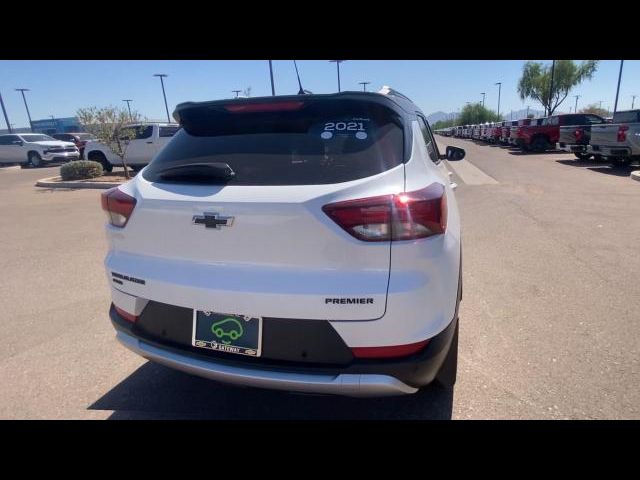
{"x": 110, "y": 126}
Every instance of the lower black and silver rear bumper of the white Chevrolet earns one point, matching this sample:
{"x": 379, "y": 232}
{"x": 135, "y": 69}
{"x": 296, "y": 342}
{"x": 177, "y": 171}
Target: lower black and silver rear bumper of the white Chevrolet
{"x": 353, "y": 377}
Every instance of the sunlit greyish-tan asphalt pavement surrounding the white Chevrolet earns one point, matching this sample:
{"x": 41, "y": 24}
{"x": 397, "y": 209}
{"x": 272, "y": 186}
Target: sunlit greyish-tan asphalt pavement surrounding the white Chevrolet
{"x": 549, "y": 319}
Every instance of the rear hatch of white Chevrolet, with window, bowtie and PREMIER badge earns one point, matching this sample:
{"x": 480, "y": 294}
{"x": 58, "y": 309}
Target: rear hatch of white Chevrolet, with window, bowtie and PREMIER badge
{"x": 259, "y": 243}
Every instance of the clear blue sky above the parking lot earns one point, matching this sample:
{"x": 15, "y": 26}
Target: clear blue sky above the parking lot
{"x": 59, "y": 88}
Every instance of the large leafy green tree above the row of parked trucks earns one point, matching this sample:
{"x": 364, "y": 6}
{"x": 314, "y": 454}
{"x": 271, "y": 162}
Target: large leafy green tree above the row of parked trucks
{"x": 535, "y": 82}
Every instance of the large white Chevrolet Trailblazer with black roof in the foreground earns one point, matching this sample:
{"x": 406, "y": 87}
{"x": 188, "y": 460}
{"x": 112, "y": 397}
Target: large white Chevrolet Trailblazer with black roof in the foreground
{"x": 307, "y": 243}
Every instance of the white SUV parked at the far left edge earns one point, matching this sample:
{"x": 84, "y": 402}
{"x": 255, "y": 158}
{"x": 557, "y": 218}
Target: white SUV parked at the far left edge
{"x": 35, "y": 148}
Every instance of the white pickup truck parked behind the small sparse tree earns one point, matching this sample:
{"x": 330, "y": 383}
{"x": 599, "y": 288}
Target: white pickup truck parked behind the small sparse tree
{"x": 147, "y": 139}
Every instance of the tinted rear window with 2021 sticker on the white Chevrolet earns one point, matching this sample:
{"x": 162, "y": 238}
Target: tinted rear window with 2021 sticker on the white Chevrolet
{"x": 323, "y": 142}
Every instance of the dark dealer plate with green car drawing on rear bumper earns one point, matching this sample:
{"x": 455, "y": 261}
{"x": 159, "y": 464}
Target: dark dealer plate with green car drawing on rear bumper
{"x": 238, "y": 334}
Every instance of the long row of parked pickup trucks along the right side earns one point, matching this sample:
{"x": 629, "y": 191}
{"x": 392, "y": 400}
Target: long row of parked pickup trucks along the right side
{"x": 583, "y": 134}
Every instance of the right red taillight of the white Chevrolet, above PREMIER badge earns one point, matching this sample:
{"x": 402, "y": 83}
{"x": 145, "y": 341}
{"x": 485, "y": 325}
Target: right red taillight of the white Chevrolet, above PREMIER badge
{"x": 405, "y": 216}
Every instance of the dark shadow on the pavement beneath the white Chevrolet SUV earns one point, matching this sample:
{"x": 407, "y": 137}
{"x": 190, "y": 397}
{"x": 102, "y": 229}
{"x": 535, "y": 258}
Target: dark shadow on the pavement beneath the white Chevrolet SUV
{"x": 157, "y": 392}
